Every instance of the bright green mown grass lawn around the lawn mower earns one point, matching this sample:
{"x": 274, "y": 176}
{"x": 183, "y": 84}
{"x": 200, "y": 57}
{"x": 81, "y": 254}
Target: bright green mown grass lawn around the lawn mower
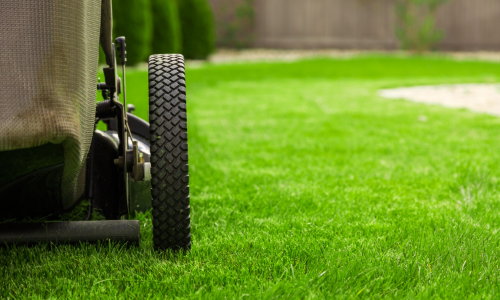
{"x": 306, "y": 184}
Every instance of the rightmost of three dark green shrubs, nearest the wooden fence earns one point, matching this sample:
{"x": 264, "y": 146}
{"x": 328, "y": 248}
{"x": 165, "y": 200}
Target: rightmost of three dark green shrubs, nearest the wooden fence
{"x": 197, "y": 25}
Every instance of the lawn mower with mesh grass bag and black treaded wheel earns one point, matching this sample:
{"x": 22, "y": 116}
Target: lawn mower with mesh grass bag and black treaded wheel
{"x": 51, "y": 155}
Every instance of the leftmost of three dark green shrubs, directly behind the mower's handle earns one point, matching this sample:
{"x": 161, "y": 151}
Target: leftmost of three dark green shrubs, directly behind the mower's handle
{"x": 133, "y": 19}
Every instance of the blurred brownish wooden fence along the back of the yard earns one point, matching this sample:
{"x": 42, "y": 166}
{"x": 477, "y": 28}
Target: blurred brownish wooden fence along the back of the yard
{"x": 350, "y": 24}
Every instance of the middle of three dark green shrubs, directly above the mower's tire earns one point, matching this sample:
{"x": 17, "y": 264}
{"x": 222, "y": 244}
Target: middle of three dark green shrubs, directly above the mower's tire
{"x": 166, "y": 27}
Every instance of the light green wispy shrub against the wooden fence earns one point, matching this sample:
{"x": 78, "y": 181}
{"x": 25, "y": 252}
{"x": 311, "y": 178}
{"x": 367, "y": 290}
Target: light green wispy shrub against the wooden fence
{"x": 416, "y": 28}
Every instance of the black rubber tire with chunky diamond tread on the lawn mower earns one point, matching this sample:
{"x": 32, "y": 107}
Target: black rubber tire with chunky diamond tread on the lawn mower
{"x": 169, "y": 152}
